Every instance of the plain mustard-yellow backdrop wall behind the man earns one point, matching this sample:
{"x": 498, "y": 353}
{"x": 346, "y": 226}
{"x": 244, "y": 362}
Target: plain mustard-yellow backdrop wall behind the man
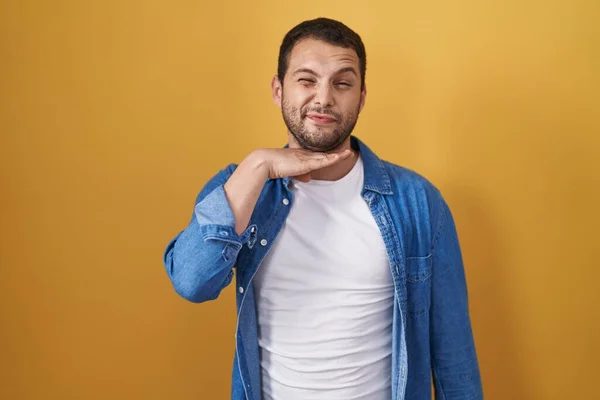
{"x": 114, "y": 113}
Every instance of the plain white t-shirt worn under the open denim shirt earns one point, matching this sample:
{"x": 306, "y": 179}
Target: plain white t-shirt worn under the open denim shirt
{"x": 324, "y": 297}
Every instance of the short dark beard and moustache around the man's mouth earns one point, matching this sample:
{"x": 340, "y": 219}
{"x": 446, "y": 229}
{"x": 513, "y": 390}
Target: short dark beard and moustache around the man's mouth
{"x": 317, "y": 139}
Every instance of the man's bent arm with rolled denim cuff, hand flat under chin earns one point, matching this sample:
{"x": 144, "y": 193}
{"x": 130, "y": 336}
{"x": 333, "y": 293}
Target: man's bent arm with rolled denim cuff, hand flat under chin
{"x": 200, "y": 259}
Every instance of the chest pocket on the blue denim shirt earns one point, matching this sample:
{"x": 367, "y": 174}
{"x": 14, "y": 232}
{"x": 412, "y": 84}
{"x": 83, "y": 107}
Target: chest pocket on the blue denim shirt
{"x": 418, "y": 284}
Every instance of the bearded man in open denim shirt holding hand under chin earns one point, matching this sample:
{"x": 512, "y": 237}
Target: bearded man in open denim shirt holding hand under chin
{"x": 350, "y": 282}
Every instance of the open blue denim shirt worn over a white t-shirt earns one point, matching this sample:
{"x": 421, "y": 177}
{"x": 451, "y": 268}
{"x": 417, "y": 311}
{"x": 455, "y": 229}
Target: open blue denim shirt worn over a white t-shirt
{"x": 431, "y": 323}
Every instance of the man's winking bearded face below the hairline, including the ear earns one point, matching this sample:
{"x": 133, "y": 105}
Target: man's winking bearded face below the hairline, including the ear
{"x": 321, "y": 95}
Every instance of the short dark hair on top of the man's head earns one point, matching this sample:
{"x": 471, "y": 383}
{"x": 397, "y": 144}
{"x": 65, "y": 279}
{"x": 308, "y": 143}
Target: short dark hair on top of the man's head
{"x": 326, "y": 30}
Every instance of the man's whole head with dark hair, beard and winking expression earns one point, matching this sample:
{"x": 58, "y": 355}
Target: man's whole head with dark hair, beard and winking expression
{"x": 320, "y": 83}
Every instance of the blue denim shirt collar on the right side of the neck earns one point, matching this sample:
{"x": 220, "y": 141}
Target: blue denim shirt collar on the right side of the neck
{"x": 377, "y": 178}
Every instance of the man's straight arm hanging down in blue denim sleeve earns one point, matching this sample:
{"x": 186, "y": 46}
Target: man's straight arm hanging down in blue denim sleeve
{"x": 454, "y": 359}
